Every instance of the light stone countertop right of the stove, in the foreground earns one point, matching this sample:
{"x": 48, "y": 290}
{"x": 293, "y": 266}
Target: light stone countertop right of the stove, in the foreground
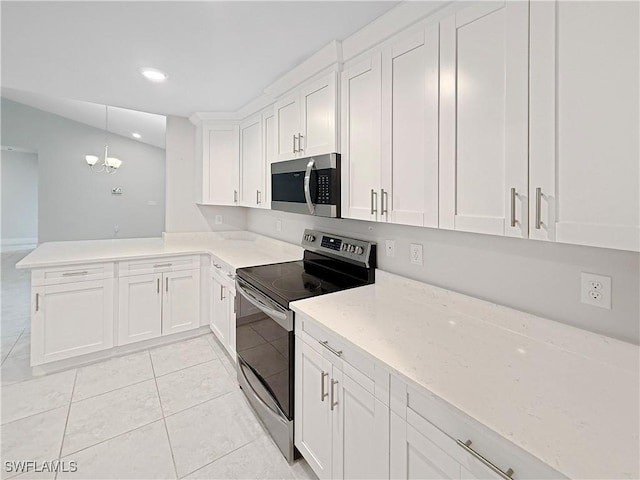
{"x": 567, "y": 396}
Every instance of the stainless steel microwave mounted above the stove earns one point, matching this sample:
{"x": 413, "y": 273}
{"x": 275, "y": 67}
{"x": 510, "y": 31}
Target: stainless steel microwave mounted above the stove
{"x": 307, "y": 185}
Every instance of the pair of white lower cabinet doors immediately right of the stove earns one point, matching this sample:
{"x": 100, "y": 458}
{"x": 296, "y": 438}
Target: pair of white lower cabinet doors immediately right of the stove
{"x": 341, "y": 428}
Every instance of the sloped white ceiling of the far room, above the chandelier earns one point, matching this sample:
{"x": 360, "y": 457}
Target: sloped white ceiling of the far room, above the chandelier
{"x": 122, "y": 121}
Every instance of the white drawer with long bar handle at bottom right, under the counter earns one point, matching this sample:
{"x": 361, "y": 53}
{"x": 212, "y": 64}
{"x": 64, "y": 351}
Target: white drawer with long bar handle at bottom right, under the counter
{"x": 444, "y": 426}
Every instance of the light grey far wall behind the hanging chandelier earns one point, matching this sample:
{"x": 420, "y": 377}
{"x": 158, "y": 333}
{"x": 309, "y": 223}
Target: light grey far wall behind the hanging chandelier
{"x": 75, "y": 203}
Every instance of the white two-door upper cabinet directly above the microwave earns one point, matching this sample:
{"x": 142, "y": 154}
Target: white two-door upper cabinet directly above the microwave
{"x": 305, "y": 120}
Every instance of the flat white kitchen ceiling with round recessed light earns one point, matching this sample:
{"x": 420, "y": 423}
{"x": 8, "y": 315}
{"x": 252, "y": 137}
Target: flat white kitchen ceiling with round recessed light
{"x": 218, "y": 55}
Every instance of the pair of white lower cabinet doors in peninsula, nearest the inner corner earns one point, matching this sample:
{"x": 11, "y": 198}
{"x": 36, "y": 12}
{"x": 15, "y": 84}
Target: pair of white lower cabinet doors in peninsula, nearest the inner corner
{"x": 156, "y": 304}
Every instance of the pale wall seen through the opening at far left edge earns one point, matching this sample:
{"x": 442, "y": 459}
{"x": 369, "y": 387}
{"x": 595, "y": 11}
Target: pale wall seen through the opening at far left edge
{"x": 19, "y": 200}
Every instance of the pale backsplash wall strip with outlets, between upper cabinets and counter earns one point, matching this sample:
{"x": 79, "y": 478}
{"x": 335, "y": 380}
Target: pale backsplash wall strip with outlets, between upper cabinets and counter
{"x": 537, "y": 277}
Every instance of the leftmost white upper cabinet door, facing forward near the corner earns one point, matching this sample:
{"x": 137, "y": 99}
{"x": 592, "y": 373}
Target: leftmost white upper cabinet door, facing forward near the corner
{"x": 222, "y": 155}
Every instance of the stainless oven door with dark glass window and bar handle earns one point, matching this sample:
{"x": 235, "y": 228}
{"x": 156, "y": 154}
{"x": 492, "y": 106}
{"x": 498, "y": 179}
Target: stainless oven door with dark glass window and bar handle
{"x": 264, "y": 344}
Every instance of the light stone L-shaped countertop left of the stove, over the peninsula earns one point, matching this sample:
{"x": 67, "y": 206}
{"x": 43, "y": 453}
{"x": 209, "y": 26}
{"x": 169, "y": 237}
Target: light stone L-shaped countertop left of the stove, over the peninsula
{"x": 236, "y": 249}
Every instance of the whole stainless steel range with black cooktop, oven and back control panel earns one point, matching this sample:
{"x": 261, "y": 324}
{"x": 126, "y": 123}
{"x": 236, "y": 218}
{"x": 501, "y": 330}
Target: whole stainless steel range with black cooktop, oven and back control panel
{"x": 265, "y": 323}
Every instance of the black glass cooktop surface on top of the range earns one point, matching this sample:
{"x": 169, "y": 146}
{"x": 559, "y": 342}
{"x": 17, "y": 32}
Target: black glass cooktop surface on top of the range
{"x": 291, "y": 281}
